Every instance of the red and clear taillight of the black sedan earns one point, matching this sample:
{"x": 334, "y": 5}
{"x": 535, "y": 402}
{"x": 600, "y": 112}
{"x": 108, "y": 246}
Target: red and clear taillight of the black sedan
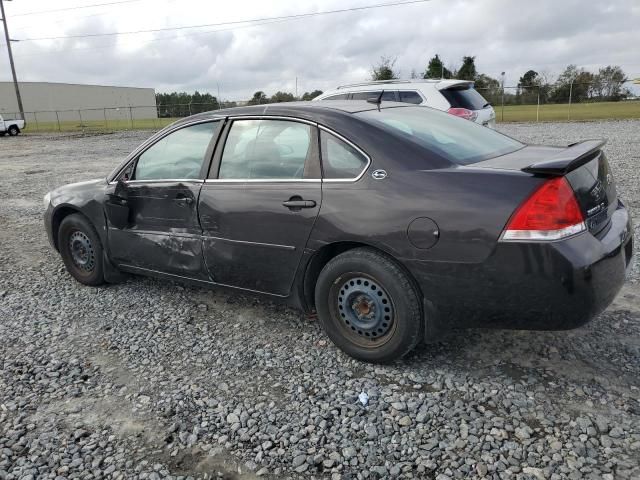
{"x": 551, "y": 213}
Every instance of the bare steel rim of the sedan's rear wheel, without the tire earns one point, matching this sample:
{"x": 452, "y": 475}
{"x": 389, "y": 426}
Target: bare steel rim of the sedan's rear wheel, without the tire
{"x": 365, "y": 308}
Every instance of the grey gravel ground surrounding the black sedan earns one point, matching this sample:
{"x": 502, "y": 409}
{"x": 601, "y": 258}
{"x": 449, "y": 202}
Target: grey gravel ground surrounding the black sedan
{"x": 150, "y": 379}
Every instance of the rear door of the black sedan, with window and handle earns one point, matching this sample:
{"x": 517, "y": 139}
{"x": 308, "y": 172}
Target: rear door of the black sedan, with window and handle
{"x": 260, "y": 205}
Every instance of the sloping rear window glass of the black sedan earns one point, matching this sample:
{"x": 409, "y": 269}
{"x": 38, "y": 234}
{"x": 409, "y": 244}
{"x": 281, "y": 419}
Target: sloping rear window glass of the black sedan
{"x": 459, "y": 141}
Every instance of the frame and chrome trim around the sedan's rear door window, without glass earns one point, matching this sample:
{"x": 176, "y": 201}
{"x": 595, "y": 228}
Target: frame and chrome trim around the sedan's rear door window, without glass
{"x": 217, "y": 157}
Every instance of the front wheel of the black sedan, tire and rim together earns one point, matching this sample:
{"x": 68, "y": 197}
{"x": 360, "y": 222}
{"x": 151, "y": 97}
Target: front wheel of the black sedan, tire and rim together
{"x": 81, "y": 249}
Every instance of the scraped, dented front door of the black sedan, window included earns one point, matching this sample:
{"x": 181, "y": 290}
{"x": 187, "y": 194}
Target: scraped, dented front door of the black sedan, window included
{"x": 160, "y": 193}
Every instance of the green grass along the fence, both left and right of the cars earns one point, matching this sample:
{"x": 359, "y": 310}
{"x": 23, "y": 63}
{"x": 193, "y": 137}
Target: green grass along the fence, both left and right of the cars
{"x": 512, "y": 113}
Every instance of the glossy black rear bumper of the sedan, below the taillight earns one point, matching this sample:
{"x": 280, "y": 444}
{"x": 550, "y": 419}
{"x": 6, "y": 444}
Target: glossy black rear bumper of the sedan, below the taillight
{"x": 533, "y": 286}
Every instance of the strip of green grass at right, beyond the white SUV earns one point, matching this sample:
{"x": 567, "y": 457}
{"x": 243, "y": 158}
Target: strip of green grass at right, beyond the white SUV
{"x": 578, "y": 111}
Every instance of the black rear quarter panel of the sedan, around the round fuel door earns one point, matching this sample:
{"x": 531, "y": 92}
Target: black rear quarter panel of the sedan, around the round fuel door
{"x": 470, "y": 207}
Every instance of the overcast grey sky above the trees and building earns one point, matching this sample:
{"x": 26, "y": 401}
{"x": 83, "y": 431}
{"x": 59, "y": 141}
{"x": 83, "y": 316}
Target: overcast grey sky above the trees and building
{"x": 322, "y": 51}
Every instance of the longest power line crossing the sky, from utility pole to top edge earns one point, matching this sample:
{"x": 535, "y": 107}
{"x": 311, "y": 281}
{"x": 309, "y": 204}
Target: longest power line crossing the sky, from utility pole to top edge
{"x": 236, "y": 22}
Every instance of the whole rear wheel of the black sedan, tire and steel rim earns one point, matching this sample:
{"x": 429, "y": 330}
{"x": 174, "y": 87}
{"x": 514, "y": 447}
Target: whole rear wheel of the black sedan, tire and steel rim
{"x": 368, "y": 306}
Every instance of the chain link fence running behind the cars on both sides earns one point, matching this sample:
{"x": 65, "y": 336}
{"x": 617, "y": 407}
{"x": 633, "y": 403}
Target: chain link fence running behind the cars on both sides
{"x": 577, "y": 101}
